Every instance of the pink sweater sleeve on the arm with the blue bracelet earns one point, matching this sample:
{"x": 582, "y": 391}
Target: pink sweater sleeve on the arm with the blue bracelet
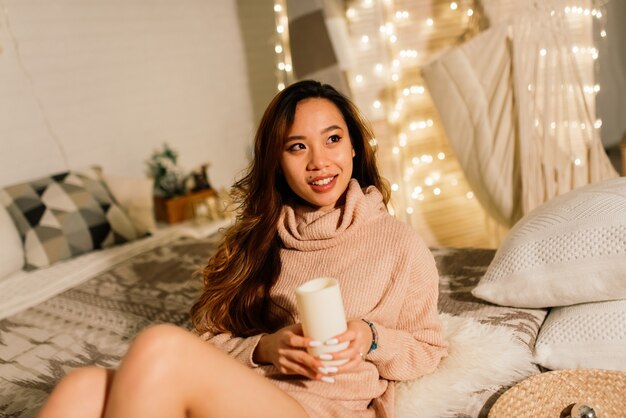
{"x": 414, "y": 345}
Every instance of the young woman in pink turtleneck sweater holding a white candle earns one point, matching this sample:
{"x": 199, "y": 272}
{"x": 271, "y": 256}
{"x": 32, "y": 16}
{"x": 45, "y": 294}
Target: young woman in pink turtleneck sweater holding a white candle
{"x": 312, "y": 204}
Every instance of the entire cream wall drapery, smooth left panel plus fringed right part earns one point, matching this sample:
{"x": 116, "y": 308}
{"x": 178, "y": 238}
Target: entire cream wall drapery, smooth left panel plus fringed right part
{"x": 513, "y": 105}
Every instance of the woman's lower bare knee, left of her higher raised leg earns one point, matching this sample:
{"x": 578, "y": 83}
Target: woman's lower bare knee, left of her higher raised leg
{"x": 81, "y": 394}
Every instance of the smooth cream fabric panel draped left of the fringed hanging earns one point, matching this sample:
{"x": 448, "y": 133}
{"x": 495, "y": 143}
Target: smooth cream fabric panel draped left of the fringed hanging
{"x": 474, "y": 96}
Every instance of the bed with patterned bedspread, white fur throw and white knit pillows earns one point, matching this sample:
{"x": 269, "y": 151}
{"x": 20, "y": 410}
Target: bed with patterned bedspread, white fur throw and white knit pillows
{"x": 87, "y": 309}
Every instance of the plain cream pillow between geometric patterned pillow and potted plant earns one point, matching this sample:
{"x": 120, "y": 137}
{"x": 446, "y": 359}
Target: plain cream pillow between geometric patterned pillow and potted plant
{"x": 135, "y": 195}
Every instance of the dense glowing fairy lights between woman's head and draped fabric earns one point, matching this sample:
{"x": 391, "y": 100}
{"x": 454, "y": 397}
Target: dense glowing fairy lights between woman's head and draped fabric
{"x": 389, "y": 32}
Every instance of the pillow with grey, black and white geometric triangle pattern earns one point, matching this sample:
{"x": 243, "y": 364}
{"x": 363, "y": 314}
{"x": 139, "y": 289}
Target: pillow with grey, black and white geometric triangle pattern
{"x": 64, "y": 215}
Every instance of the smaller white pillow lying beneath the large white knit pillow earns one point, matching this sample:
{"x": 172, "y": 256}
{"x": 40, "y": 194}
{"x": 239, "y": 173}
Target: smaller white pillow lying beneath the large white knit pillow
{"x": 589, "y": 335}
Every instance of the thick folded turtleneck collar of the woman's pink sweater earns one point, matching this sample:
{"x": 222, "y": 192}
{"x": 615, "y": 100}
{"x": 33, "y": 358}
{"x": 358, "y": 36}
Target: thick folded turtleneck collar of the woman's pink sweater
{"x": 304, "y": 228}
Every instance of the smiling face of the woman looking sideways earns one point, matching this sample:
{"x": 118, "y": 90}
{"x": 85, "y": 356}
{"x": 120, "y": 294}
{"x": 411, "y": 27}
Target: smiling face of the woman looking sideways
{"x": 317, "y": 154}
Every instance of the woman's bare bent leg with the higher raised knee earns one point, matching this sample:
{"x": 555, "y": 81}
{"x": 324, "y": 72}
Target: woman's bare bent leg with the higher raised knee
{"x": 169, "y": 372}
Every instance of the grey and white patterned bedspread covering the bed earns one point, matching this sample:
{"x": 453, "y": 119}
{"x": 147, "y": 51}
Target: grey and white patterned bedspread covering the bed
{"x": 93, "y": 323}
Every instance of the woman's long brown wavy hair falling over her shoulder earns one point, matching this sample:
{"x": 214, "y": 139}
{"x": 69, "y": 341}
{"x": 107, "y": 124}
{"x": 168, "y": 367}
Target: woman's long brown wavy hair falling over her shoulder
{"x": 239, "y": 277}
